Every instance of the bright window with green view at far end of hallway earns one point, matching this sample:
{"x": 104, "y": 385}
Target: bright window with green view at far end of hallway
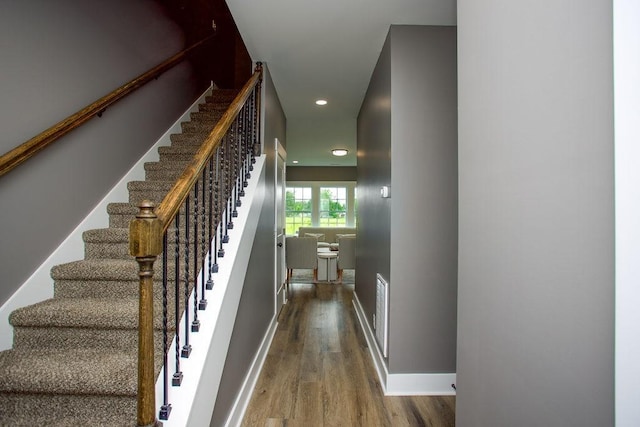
{"x": 325, "y": 204}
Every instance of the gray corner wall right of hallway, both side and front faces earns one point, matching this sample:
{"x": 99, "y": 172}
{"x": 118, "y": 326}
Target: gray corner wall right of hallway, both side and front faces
{"x": 407, "y": 137}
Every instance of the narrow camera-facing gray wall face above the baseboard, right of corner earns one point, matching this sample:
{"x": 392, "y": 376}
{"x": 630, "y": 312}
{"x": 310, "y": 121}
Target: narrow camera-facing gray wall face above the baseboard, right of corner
{"x": 424, "y": 200}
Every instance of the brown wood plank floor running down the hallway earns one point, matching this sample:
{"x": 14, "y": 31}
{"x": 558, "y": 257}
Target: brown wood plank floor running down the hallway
{"x": 319, "y": 372}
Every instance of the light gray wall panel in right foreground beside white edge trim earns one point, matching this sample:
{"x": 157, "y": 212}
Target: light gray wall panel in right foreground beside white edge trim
{"x": 536, "y": 275}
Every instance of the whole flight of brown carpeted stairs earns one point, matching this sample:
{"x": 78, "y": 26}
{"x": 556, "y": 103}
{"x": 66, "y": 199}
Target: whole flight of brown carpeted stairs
{"x": 74, "y": 356}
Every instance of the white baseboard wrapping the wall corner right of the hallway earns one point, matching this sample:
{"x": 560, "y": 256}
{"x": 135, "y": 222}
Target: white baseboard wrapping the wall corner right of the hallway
{"x": 402, "y": 384}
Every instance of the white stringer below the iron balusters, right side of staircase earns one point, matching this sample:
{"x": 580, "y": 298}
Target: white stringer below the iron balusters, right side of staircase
{"x": 194, "y": 400}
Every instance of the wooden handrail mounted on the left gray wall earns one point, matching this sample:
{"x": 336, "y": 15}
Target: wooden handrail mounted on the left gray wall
{"x": 25, "y": 151}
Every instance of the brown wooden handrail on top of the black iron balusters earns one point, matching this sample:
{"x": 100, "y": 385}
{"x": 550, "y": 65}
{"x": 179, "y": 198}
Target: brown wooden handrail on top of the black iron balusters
{"x": 168, "y": 208}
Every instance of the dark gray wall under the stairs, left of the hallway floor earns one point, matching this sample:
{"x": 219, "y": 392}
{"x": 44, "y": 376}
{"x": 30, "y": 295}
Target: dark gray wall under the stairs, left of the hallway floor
{"x": 257, "y": 302}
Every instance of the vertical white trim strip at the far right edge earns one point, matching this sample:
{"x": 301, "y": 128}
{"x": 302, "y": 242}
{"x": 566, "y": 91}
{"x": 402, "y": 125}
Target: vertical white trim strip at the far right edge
{"x": 626, "y": 67}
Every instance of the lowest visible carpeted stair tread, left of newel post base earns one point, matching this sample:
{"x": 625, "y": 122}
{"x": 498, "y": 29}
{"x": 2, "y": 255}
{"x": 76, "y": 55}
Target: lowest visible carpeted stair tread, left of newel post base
{"x": 77, "y": 371}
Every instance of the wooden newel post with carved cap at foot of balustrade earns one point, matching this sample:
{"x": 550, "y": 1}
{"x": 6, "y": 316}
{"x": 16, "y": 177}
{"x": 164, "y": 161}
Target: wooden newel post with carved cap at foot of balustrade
{"x": 145, "y": 243}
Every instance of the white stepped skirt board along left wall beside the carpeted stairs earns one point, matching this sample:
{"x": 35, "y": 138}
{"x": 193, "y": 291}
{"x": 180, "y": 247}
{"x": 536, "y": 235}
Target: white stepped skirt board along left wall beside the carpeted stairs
{"x": 39, "y": 286}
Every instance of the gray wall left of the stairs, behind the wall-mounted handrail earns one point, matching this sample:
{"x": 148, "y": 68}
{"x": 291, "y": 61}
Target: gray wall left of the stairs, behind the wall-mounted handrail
{"x": 57, "y": 57}
